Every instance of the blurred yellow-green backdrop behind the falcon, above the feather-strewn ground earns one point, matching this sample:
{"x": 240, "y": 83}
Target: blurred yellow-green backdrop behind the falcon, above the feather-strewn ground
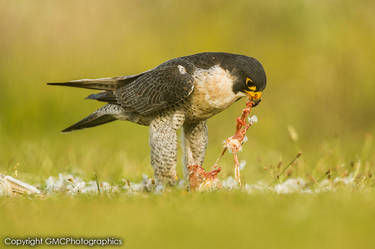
{"x": 318, "y": 55}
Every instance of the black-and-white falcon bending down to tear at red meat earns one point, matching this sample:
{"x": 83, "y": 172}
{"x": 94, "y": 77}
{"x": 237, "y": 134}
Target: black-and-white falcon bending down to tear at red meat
{"x": 179, "y": 93}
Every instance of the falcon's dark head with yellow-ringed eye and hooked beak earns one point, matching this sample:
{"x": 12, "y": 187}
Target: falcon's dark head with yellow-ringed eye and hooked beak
{"x": 250, "y": 76}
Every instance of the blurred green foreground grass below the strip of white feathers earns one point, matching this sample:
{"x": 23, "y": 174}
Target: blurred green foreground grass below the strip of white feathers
{"x": 207, "y": 220}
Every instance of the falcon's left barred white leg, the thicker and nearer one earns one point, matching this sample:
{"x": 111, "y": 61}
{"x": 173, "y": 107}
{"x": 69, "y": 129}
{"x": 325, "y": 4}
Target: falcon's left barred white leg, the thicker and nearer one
{"x": 163, "y": 142}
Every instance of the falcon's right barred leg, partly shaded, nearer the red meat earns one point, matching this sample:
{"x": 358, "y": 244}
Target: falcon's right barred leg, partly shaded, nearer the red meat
{"x": 195, "y": 139}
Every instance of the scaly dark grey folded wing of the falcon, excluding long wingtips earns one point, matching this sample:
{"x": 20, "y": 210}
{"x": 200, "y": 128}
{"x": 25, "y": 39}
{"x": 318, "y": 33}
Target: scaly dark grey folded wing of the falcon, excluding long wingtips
{"x": 158, "y": 89}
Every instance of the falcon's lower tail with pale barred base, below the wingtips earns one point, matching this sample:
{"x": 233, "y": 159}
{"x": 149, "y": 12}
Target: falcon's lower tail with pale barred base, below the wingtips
{"x": 103, "y": 115}
